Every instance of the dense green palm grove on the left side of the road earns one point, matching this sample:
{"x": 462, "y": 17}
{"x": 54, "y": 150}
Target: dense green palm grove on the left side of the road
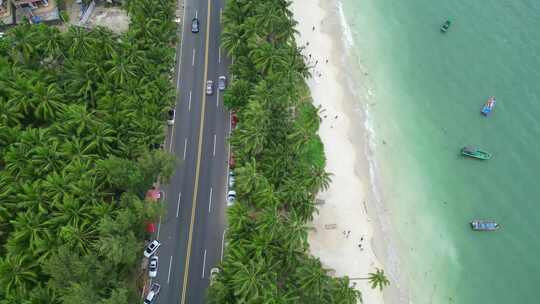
{"x": 81, "y": 116}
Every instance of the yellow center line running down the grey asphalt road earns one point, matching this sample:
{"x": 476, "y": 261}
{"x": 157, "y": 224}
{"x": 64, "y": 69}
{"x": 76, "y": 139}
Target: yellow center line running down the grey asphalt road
{"x": 199, "y": 150}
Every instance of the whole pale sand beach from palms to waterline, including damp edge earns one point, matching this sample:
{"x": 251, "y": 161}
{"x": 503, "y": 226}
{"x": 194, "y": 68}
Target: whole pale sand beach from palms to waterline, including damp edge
{"x": 351, "y": 204}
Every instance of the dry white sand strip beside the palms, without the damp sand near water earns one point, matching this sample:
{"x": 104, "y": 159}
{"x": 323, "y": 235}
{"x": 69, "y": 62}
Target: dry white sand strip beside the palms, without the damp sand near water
{"x": 344, "y": 231}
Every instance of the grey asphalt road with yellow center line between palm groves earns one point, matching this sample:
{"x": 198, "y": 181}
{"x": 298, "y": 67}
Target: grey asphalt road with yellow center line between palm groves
{"x": 192, "y": 231}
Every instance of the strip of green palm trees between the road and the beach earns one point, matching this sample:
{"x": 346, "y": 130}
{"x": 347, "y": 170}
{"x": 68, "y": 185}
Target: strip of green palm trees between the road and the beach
{"x": 279, "y": 166}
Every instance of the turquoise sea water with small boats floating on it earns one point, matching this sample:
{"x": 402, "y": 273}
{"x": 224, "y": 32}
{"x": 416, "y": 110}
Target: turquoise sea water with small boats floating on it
{"x": 426, "y": 93}
